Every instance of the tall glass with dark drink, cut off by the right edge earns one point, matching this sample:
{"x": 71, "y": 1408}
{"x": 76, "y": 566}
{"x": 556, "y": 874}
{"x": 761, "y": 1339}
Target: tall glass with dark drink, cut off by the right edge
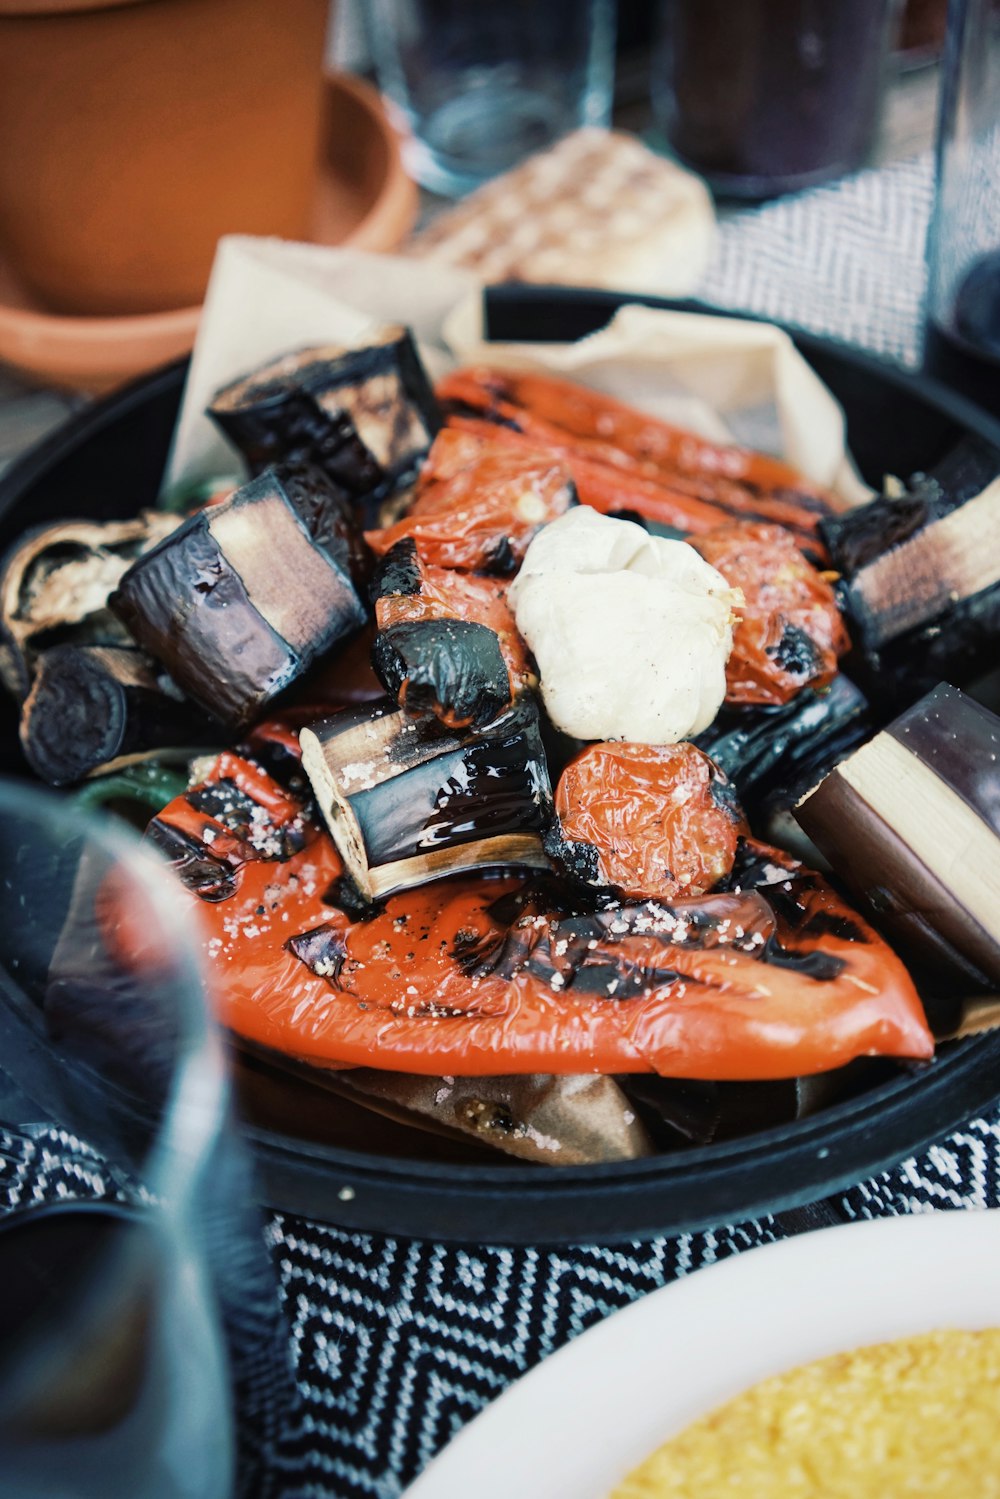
{"x": 963, "y": 248}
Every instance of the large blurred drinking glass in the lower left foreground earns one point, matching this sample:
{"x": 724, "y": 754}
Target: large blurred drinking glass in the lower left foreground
{"x": 137, "y": 1306}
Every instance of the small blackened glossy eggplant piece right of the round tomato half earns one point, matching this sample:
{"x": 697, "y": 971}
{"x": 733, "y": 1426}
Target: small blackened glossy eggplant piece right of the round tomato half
{"x": 774, "y": 755}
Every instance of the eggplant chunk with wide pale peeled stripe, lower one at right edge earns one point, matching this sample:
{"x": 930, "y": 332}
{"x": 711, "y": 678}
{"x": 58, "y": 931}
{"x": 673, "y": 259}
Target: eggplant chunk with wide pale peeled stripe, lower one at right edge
{"x": 912, "y": 824}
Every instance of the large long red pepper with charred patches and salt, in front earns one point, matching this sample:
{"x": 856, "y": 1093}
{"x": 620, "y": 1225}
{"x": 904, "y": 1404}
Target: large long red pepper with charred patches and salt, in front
{"x": 475, "y": 977}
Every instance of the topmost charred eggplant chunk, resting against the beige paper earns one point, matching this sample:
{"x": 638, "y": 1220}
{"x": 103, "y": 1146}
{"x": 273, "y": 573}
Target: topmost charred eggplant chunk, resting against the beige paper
{"x": 365, "y": 416}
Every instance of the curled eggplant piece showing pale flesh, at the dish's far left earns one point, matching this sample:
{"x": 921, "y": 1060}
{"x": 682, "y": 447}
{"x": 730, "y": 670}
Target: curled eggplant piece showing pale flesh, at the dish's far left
{"x": 56, "y": 582}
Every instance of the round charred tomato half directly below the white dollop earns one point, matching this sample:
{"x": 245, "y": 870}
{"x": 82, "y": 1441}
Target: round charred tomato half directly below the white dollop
{"x": 645, "y": 822}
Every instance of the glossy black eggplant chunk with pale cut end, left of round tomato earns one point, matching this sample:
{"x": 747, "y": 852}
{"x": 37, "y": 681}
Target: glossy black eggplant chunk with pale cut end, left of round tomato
{"x": 409, "y": 801}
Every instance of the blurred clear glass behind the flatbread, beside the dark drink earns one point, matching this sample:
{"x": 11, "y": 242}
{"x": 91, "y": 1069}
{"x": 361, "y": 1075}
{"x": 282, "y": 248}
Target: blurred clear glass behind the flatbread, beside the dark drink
{"x": 479, "y": 88}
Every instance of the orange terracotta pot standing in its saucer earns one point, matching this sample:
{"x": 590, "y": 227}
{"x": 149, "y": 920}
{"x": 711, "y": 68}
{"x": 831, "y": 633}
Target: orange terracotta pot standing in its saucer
{"x": 136, "y": 133}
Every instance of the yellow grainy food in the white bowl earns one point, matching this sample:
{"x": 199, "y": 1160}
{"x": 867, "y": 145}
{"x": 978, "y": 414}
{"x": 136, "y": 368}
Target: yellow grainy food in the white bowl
{"x": 918, "y": 1417}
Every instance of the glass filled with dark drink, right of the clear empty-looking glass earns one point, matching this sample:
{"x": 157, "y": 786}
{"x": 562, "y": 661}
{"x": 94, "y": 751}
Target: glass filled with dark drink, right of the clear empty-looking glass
{"x": 771, "y": 97}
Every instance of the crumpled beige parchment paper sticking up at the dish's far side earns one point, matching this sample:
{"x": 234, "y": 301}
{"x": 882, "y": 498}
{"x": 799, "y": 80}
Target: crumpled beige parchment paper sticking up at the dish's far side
{"x": 726, "y": 378}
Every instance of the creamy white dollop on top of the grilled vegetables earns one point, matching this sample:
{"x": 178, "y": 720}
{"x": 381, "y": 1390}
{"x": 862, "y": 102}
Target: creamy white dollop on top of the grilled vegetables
{"x": 632, "y": 633}
